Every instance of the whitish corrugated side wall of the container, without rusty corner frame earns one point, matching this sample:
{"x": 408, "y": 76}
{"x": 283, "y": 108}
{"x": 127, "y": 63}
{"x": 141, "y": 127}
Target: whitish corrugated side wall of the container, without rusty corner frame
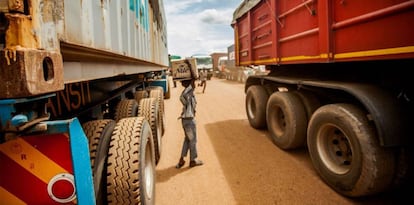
{"x": 124, "y": 27}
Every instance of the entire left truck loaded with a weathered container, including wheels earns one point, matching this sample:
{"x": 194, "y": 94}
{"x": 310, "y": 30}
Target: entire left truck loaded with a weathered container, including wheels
{"x": 81, "y": 100}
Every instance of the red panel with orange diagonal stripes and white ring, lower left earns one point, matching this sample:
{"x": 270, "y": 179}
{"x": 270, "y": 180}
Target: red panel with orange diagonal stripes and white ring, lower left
{"x": 37, "y": 170}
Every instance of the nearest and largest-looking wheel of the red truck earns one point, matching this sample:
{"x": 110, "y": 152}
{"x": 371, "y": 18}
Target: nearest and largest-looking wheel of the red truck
{"x": 345, "y": 151}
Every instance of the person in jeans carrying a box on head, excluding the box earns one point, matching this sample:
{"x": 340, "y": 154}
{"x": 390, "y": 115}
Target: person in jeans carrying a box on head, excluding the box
{"x": 187, "y": 117}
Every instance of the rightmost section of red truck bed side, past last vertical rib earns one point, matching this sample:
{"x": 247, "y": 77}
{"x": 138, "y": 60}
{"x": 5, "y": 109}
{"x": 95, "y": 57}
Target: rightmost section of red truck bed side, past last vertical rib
{"x": 372, "y": 27}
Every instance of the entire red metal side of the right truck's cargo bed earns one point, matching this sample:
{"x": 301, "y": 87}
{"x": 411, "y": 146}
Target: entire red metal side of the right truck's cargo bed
{"x": 304, "y": 31}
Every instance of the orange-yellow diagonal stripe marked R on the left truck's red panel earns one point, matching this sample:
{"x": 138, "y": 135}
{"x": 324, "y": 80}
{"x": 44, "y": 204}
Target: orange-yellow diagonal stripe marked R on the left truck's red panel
{"x": 31, "y": 159}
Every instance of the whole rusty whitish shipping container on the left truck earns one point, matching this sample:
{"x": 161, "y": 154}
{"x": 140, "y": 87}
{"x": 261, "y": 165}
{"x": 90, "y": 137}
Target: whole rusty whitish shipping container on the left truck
{"x": 43, "y": 38}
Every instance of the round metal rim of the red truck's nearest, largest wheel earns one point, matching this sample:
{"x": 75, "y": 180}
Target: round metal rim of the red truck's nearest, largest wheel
{"x": 334, "y": 148}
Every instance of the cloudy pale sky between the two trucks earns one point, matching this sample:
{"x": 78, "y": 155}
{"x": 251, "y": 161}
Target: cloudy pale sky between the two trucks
{"x": 199, "y": 26}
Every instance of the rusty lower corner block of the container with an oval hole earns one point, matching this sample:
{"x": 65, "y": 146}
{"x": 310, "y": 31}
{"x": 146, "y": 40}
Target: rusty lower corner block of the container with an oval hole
{"x": 30, "y": 73}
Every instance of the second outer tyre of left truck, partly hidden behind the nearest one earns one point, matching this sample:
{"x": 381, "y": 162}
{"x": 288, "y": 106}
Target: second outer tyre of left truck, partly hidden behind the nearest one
{"x": 148, "y": 108}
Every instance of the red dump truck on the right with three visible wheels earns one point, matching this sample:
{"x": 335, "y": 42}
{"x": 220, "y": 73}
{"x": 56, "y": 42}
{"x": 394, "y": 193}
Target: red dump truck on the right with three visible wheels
{"x": 339, "y": 85}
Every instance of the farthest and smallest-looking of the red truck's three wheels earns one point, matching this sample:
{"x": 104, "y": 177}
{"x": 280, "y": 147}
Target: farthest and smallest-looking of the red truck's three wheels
{"x": 256, "y": 99}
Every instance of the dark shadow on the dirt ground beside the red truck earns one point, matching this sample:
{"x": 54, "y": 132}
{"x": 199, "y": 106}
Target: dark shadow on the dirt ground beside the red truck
{"x": 258, "y": 171}
